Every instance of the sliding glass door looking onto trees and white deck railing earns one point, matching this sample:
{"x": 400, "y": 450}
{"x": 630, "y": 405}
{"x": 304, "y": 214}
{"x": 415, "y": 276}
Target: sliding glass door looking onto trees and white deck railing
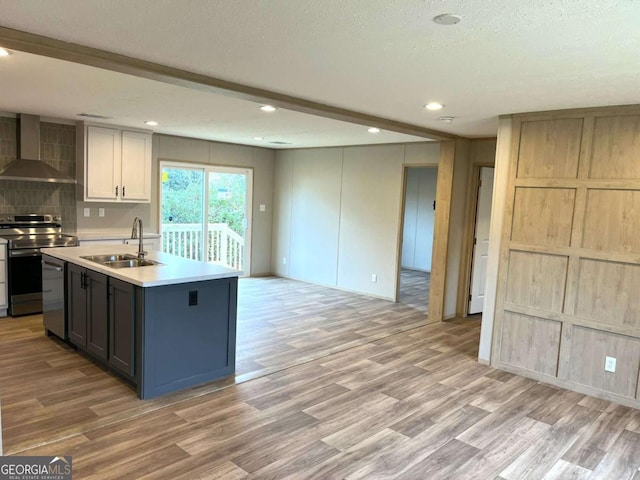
{"x": 205, "y": 213}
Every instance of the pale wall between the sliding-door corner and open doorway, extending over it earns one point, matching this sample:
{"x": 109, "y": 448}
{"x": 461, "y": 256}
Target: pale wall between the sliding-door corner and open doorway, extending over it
{"x": 351, "y": 196}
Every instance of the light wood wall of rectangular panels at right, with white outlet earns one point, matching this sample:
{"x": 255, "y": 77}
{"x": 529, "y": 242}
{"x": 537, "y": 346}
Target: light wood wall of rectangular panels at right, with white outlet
{"x": 569, "y": 277}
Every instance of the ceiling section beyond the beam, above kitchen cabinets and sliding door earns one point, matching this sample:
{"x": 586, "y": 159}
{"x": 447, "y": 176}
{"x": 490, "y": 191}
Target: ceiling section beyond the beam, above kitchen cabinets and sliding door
{"x": 61, "y": 90}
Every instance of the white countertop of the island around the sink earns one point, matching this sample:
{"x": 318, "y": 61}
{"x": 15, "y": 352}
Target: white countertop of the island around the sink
{"x": 174, "y": 269}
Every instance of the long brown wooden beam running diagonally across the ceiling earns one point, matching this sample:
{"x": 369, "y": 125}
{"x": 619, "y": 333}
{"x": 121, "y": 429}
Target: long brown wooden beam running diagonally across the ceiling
{"x": 49, "y": 47}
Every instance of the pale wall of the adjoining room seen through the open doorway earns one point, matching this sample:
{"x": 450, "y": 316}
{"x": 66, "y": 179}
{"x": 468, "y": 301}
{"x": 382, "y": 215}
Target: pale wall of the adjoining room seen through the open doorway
{"x": 419, "y": 217}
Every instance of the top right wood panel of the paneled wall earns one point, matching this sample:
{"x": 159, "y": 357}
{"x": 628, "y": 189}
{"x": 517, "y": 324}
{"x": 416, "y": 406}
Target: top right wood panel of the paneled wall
{"x": 615, "y": 140}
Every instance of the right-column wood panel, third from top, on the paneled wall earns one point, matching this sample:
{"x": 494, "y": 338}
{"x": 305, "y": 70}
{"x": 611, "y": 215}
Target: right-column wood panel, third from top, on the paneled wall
{"x": 609, "y": 292}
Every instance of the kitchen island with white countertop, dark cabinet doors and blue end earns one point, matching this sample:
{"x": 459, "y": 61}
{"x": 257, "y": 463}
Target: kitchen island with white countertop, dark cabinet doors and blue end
{"x": 162, "y": 328}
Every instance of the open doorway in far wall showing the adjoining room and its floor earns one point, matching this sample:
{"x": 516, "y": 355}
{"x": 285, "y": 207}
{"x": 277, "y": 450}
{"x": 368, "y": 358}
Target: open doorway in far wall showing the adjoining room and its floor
{"x": 417, "y": 236}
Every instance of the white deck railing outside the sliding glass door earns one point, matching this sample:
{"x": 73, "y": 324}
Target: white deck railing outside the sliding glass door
{"x": 224, "y": 246}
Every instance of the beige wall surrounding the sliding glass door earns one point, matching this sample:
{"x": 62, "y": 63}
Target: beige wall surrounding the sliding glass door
{"x": 261, "y": 160}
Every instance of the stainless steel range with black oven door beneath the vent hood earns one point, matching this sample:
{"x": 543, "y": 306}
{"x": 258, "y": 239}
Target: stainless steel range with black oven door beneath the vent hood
{"x": 28, "y": 236}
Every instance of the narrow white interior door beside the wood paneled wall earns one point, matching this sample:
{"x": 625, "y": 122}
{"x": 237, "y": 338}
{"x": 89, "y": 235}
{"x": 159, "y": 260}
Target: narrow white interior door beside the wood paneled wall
{"x": 481, "y": 241}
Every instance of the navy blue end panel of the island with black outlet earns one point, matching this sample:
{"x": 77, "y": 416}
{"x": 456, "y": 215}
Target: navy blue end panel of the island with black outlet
{"x": 188, "y": 335}
